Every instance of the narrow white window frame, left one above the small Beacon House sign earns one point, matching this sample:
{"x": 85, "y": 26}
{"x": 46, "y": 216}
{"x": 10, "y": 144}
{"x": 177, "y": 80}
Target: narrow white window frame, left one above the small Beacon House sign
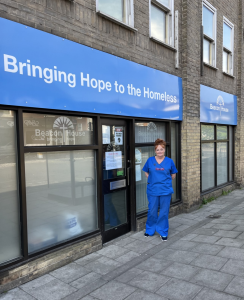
{"x": 212, "y": 41}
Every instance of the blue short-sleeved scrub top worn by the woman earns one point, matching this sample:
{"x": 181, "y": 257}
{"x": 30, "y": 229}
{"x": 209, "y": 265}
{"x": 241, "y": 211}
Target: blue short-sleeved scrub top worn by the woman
{"x": 159, "y": 181}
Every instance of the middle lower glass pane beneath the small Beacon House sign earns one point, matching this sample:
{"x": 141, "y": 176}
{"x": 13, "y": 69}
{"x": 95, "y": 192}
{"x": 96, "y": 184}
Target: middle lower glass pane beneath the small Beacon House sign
{"x": 221, "y": 163}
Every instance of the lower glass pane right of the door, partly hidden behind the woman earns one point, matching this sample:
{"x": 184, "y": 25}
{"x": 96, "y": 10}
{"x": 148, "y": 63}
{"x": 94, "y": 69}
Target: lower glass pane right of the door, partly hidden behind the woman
{"x": 142, "y": 154}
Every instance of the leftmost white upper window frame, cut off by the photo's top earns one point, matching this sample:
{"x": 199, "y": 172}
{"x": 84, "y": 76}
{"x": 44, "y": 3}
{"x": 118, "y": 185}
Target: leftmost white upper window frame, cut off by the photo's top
{"x": 129, "y": 14}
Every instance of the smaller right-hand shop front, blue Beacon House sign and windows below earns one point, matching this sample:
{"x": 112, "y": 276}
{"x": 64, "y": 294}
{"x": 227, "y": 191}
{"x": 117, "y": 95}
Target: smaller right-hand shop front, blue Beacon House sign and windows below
{"x": 218, "y": 116}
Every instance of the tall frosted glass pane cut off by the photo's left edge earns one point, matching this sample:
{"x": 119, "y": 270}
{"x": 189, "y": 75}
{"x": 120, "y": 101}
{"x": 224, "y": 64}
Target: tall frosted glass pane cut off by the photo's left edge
{"x": 9, "y": 201}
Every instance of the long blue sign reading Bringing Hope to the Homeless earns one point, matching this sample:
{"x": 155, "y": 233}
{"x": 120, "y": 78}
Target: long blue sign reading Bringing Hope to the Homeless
{"x": 38, "y": 69}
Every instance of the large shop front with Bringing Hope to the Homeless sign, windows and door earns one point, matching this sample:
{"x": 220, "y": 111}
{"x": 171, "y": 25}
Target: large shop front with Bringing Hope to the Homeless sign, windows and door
{"x": 76, "y": 127}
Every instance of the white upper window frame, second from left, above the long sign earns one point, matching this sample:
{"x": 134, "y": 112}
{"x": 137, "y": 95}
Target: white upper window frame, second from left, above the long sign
{"x": 169, "y": 40}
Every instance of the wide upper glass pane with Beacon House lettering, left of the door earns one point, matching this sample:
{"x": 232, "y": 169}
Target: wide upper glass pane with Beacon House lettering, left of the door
{"x": 52, "y": 130}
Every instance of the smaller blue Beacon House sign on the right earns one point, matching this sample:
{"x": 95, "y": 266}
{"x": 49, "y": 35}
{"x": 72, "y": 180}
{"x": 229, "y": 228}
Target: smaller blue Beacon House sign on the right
{"x": 217, "y": 106}
